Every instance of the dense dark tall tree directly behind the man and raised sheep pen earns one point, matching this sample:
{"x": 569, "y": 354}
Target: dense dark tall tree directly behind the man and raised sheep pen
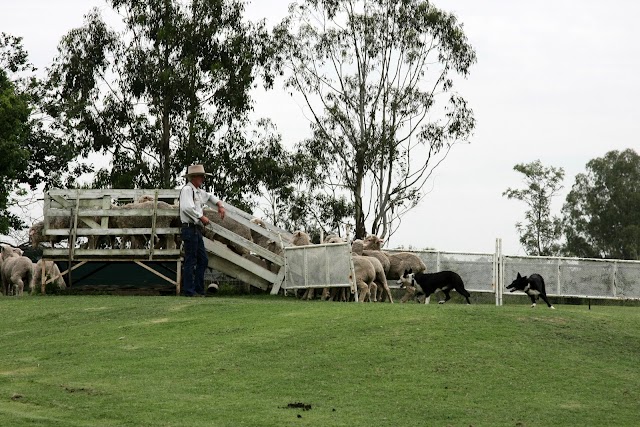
{"x": 172, "y": 89}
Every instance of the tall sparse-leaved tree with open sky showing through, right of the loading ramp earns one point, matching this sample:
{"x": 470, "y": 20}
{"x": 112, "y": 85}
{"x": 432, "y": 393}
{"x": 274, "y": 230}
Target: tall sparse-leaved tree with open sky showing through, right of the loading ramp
{"x": 361, "y": 67}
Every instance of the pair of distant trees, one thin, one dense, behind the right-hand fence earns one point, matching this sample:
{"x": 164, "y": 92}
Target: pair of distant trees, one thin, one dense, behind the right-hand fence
{"x": 600, "y": 216}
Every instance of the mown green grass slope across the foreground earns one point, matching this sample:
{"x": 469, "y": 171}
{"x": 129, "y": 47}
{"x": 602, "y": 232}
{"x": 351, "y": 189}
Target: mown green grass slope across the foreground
{"x": 240, "y": 361}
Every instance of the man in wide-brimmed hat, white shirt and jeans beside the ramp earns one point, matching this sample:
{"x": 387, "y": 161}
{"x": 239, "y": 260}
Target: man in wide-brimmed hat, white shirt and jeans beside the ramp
{"x": 192, "y": 200}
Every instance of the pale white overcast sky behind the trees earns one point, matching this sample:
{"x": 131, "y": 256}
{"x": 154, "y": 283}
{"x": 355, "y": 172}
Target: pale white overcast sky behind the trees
{"x": 556, "y": 80}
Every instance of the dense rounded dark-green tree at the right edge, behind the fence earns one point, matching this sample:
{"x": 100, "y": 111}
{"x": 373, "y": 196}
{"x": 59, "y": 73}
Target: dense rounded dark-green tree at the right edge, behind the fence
{"x": 601, "y": 213}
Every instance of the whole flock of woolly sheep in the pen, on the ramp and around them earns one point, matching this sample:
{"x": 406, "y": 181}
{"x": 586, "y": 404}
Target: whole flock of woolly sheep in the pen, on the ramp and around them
{"x": 373, "y": 267}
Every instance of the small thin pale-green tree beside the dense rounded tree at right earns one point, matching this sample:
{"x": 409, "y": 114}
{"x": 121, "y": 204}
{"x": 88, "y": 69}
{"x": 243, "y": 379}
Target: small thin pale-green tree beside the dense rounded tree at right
{"x": 540, "y": 233}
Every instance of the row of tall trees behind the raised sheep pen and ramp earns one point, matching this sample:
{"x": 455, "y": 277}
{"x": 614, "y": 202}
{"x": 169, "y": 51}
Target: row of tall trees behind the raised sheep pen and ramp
{"x": 173, "y": 87}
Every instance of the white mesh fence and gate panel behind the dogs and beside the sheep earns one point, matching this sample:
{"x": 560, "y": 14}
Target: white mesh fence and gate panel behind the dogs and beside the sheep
{"x": 330, "y": 266}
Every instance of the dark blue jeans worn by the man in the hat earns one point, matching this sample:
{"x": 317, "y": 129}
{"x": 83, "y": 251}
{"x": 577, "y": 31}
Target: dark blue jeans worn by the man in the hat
{"x": 195, "y": 261}
